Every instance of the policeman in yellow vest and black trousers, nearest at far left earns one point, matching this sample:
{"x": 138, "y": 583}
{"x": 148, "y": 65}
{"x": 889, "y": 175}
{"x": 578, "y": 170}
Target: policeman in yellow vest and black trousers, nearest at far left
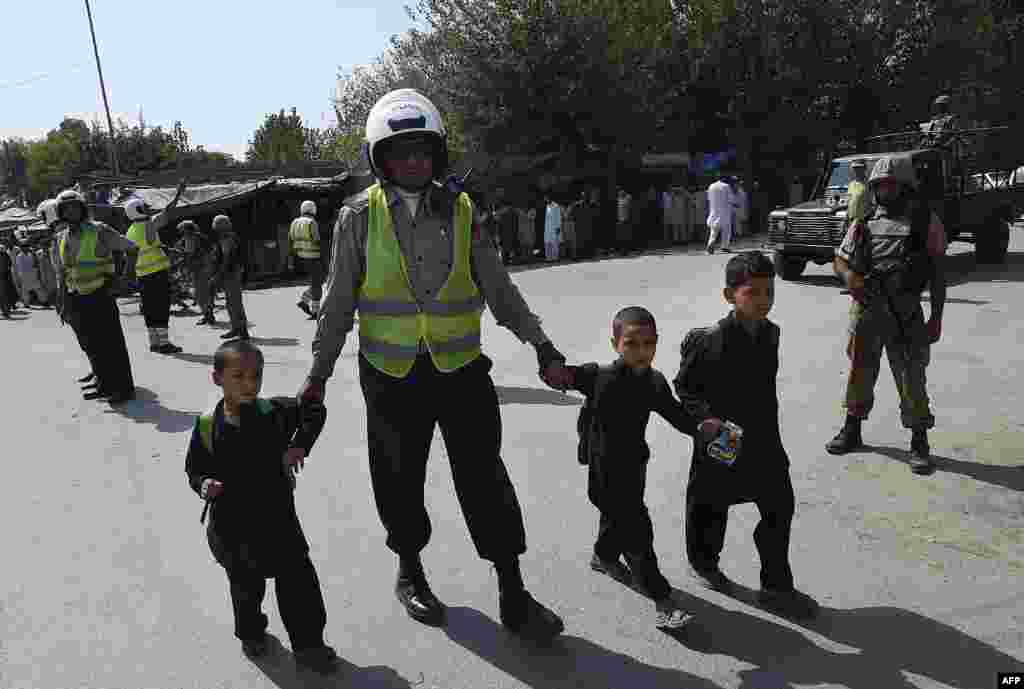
{"x": 84, "y": 260}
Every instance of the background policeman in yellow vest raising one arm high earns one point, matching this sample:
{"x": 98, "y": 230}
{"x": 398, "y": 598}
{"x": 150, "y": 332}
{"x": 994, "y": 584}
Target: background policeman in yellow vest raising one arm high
{"x": 154, "y": 269}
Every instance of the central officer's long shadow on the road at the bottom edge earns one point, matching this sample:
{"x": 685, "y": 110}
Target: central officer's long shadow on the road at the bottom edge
{"x": 568, "y": 662}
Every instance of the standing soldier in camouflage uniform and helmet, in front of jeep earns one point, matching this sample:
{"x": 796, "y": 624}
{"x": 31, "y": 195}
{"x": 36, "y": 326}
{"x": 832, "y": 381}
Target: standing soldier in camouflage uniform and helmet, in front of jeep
{"x": 887, "y": 266}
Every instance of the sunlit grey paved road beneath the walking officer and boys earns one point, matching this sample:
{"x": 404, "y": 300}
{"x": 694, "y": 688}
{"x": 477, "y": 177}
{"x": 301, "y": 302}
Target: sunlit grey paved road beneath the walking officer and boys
{"x": 107, "y": 581}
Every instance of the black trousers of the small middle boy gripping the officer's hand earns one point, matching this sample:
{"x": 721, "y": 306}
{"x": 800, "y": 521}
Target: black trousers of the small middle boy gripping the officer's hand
{"x": 617, "y": 489}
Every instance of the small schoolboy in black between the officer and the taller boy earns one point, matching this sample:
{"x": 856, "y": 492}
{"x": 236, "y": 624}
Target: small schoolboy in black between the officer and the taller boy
{"x": 620, "y": 400}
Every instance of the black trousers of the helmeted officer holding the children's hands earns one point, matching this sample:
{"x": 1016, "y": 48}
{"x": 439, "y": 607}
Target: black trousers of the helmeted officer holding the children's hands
{"x": 402, "y": 415}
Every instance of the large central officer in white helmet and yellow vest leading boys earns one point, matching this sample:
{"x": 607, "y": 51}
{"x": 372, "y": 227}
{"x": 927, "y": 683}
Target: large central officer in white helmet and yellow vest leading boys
{"x": 410, "y": 257}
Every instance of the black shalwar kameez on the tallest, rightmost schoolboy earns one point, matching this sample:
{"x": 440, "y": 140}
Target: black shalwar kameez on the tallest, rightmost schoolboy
{"x": 735, "y": 380}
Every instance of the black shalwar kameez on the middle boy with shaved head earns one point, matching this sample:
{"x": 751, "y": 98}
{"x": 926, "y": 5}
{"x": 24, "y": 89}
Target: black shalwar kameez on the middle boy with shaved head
{"x": 618, "y": 458}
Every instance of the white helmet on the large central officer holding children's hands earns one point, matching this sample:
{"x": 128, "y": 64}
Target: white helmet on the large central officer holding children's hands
{"x": 403, "y": 113}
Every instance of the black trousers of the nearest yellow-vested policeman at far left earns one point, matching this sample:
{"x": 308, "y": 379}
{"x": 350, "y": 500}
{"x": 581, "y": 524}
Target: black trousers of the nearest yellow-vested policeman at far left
{"x": 100, "y": 333}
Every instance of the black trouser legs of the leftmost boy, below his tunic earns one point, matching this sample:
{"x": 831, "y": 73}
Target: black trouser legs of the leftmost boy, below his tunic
{"x": 300, "y": 599}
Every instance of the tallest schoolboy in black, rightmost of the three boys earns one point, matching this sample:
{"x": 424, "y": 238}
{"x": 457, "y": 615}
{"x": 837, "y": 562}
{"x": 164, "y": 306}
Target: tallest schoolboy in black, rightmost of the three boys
{"x": 729, "y": 374}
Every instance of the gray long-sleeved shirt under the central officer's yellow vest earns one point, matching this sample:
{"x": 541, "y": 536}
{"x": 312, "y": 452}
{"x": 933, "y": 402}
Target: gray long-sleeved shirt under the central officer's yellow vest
{"x": 428, "y": 246}
